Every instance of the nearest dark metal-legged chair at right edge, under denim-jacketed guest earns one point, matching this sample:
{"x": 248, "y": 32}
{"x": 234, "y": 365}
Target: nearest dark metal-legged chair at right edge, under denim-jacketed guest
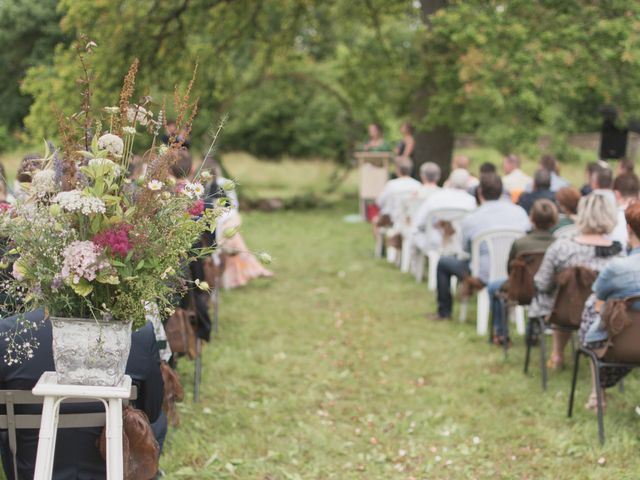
{"x": 623, "y": 352}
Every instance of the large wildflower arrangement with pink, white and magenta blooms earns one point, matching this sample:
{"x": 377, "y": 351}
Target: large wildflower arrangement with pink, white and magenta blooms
{"x": 86, "y": 241}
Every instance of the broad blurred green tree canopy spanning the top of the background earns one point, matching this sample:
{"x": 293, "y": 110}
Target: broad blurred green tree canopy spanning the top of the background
{"x": 300, "y": 76}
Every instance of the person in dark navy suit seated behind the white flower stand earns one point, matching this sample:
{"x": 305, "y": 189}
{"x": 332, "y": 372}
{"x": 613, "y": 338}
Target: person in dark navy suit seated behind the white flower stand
{"x": 77, "y": 456}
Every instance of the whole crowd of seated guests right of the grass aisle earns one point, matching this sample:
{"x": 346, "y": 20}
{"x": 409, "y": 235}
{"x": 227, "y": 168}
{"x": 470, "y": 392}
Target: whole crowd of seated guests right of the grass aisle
{"x": 596, "y": 228}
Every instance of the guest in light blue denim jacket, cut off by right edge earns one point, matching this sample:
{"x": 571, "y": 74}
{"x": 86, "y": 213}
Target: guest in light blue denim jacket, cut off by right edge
{"x": 620, "y": 278}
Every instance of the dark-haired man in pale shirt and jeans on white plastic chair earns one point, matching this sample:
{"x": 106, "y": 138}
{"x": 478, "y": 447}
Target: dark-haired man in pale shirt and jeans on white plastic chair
{"x": 492, "y": 214}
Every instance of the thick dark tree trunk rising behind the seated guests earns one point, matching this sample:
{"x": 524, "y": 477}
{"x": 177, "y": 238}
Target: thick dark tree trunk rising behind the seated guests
{"x": 435, "y": 145}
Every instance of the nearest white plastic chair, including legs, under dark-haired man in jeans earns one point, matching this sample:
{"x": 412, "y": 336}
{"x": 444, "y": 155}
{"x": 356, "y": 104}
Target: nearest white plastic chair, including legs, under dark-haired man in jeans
{"x": 498, "y": 243}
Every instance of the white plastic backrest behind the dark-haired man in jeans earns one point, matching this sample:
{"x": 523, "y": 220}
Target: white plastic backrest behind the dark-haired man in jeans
{"x": 498, "y": 243}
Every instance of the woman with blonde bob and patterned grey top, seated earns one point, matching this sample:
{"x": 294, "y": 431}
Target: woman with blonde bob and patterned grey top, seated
{"x": 591, "y": 249}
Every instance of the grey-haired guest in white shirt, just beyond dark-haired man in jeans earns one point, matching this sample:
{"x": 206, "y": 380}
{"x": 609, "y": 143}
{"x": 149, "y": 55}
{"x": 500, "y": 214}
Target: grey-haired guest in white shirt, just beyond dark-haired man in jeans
{"x": 454, "y": 196}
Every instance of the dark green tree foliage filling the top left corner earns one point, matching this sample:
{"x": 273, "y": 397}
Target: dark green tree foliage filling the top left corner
{"x": 29, "y": 31}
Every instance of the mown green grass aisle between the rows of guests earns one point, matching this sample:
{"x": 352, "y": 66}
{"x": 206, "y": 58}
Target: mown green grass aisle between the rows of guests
{"x": 332, "y": 371}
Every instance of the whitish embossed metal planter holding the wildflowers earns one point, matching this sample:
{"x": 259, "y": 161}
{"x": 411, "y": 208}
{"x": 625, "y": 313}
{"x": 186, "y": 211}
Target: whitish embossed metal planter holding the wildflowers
{"x": 90, "y": 352}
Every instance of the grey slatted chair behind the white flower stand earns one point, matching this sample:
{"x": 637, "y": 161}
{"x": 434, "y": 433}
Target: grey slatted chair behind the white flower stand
{"x": 12, "y": 421}
